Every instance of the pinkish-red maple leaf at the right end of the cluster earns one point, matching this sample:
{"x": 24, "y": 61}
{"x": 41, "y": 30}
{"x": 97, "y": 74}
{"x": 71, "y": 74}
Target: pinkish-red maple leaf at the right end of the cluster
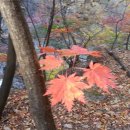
{"x": 99, "y": 75}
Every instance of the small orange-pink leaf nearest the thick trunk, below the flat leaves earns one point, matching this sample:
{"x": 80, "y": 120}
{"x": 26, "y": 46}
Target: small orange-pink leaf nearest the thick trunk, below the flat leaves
{"x": 50, "y": 63}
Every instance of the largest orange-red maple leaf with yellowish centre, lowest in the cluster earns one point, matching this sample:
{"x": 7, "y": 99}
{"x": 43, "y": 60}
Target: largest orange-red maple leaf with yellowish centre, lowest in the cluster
{"x": 65, "y": 89}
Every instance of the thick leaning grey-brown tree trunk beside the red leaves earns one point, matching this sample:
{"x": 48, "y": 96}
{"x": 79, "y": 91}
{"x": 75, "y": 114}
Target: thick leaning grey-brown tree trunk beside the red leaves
{"x": 27, "y": 58}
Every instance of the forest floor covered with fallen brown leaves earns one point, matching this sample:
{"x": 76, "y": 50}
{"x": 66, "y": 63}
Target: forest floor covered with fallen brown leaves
{"x": 101, "y": 112}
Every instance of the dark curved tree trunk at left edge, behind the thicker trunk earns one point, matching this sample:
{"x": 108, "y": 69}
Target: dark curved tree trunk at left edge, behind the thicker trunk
{"x": 8, "y": 76}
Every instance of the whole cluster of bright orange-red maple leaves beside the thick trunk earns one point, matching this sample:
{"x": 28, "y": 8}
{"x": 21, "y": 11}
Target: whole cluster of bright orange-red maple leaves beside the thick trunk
{"x": 65, "y": 88}
